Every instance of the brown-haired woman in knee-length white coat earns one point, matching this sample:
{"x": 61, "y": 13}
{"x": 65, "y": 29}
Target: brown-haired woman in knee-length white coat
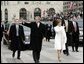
{"x": 60, "y": 37}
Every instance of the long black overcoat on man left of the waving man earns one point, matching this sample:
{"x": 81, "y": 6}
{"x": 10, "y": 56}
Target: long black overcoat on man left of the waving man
{"x": 16, "y": 45}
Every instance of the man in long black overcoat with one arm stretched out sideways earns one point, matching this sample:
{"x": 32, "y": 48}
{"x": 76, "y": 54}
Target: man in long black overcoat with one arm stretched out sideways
{"x": 36, "y": 36}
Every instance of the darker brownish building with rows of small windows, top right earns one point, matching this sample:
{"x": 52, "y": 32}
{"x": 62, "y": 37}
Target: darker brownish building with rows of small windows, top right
{"x": 75, "y": 6}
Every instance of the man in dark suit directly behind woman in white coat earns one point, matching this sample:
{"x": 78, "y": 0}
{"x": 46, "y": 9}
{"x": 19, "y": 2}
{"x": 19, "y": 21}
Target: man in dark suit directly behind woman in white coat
{"x": 68, "y": 28}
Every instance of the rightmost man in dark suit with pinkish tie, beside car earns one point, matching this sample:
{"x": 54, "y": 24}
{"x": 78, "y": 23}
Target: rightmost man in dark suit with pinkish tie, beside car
{"x": 75, "y": 35}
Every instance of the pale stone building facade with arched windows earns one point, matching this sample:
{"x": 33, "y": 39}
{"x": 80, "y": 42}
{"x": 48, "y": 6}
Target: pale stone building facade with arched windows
{"x": 28, "y": 9}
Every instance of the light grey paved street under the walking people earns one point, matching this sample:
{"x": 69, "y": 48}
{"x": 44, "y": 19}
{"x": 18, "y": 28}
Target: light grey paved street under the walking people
{"x": 48, "y": 55}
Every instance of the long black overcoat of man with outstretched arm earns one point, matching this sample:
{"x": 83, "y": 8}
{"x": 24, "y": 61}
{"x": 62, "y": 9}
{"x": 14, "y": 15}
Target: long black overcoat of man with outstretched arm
{"x": 36, "y": 35}
